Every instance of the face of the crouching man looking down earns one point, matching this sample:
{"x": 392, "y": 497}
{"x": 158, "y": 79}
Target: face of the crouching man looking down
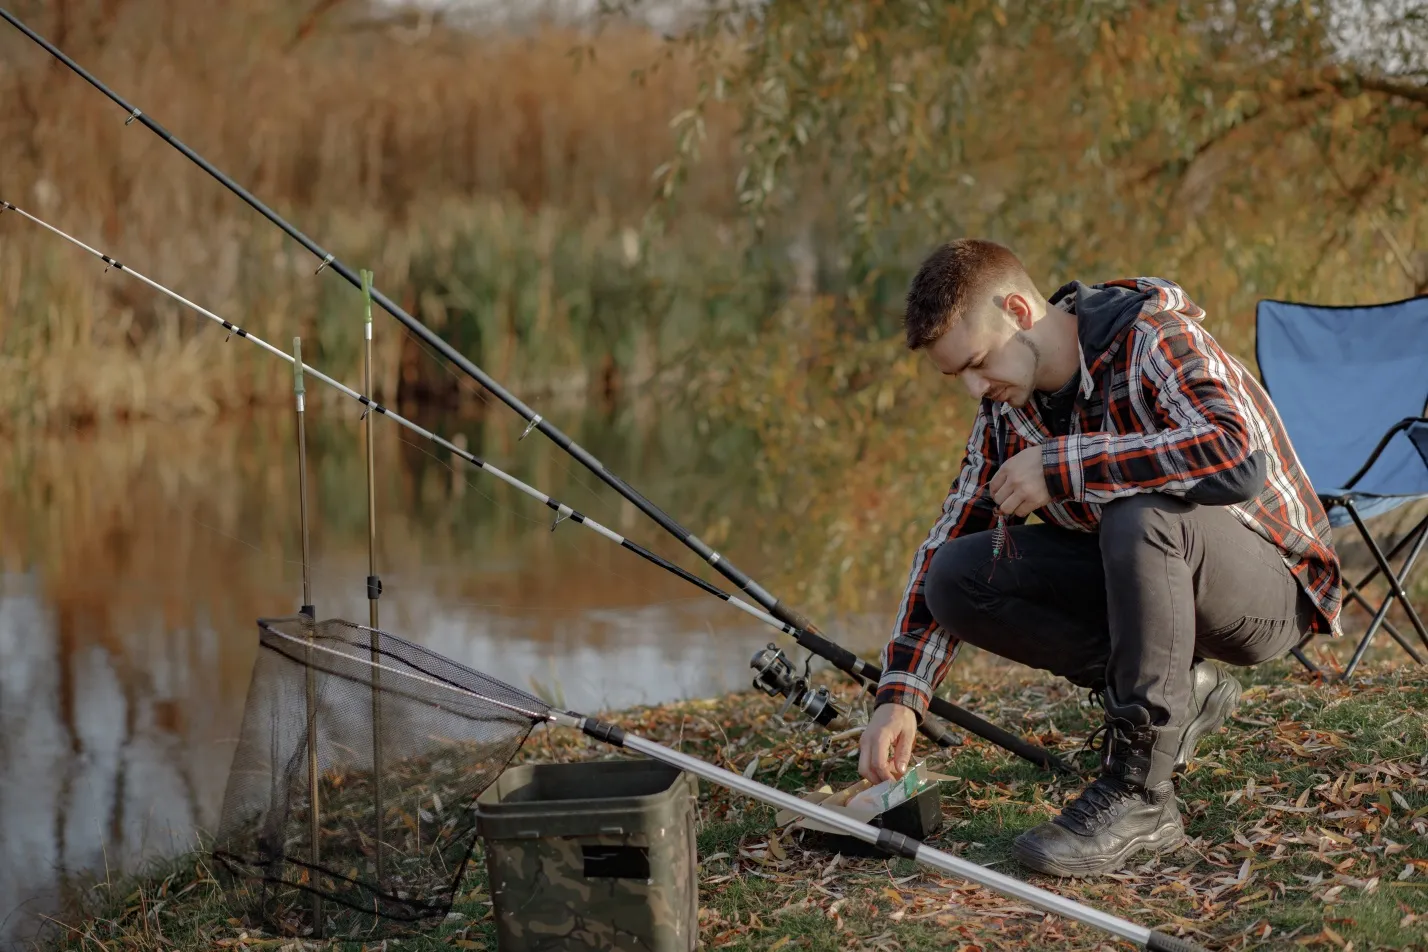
{"x": 990, "y": 356}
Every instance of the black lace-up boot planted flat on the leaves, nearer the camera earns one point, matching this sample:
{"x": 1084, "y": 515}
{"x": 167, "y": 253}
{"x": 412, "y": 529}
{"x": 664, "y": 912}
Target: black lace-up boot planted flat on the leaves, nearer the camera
{"x": 1127, "y": 810}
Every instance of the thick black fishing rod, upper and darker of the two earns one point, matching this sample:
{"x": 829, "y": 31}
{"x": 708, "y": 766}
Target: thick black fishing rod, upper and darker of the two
{"x": 806, "y": 633}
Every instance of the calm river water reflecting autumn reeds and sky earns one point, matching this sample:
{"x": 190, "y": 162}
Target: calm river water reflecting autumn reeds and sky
{"x": 135, "y": 560}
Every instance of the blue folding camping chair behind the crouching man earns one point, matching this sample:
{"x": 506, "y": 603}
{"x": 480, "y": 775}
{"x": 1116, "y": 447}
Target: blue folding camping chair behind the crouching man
{"x": 1352, "y": 386}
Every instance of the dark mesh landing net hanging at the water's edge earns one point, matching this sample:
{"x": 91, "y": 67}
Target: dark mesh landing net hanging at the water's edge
{"x": 405, "y": 743}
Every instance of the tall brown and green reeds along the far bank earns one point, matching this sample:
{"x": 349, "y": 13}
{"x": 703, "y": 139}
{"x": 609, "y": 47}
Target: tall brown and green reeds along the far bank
{"x": 492, "y": 181}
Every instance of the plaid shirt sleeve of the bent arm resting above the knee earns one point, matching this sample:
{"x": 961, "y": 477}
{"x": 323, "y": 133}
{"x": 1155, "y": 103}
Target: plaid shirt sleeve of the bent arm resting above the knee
{"x": 1205, "y": 426}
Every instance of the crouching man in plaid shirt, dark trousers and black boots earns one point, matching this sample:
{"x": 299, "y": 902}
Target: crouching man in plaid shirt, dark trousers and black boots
{"x": 1177, "y": 527}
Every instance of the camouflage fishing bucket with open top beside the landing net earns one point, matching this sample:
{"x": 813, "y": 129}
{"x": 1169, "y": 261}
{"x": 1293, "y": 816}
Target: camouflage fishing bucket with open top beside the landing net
{"x": 593, "y": 857}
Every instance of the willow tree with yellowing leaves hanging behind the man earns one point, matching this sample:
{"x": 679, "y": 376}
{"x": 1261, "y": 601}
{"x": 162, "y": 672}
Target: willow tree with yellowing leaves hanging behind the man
{"x": 1245, "y": 149}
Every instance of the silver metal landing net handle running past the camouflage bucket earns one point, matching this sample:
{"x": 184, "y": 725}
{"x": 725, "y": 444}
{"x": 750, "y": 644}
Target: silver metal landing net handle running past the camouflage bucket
{"x": 888, "y": 840}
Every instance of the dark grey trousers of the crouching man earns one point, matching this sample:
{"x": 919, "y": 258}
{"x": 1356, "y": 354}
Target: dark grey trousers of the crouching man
{"x": 1133, "y": 607}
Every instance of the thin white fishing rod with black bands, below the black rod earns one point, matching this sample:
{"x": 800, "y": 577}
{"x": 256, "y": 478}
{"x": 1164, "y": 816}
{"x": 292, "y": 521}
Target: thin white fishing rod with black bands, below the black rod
{"x": 563, "y": 513}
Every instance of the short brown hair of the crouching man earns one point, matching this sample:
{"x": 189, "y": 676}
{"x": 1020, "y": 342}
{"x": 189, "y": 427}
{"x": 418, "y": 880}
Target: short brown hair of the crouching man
{"x": 953, "y": 276}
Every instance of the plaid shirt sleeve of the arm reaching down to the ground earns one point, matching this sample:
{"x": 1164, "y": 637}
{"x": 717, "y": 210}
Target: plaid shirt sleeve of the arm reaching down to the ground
{"x": 919, "y": 654}
